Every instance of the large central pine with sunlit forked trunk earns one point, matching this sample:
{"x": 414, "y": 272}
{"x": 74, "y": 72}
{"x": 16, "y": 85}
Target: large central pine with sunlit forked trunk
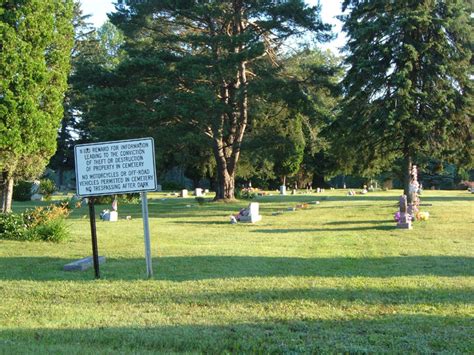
{"x": 200, "y": 58}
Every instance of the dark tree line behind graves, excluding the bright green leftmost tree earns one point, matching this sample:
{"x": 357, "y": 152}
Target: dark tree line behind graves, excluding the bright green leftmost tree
{"x": 224, "y": 97}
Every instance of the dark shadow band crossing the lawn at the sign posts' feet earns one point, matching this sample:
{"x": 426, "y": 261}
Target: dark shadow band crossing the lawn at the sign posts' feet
{"x": 185, "y": 268}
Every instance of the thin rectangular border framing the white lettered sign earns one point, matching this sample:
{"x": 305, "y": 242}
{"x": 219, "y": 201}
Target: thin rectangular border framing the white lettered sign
{"x": 128, "y": 191}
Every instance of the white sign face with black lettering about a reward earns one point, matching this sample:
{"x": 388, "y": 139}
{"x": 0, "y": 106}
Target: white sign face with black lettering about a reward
{"x": 117, "y": 167}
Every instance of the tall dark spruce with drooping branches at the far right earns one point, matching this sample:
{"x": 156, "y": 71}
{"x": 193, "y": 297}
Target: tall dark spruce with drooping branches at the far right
{"x": 408, "y": 88}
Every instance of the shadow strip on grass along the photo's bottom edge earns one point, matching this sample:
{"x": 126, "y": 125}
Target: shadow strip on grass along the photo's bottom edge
{"x": 416, "y": 333}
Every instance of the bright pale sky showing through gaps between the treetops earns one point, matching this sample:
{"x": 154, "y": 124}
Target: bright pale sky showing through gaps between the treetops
{"x": 330, "y": 8}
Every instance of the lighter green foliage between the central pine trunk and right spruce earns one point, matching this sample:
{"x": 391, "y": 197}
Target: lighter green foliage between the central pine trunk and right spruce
{"x": 288, "y": 126}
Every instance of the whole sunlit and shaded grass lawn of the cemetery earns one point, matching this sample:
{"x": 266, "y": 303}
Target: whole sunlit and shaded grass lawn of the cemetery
{"x": 337, "y": 276}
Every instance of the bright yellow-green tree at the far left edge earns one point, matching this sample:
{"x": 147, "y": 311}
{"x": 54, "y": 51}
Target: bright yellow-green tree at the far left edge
{"x": 35, "y": 40}
